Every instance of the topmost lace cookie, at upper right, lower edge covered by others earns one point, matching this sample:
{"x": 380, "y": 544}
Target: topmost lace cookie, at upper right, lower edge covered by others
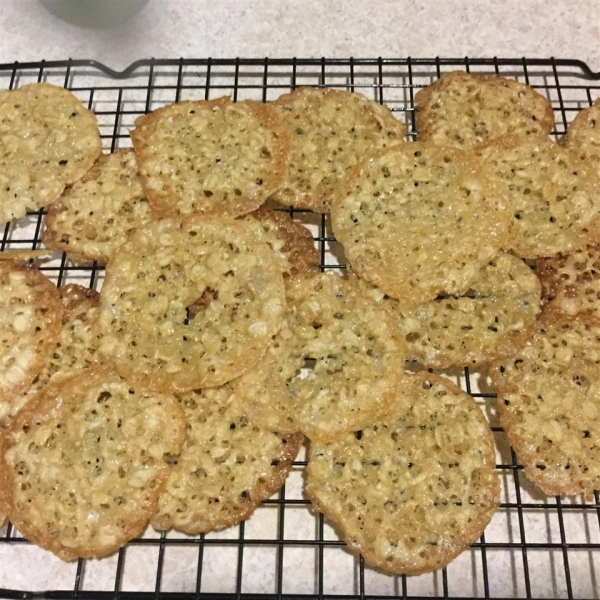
{"x": 465, "y": 110}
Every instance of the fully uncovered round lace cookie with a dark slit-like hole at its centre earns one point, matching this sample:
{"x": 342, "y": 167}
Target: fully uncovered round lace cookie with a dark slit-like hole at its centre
{"x": 190, "y": 304}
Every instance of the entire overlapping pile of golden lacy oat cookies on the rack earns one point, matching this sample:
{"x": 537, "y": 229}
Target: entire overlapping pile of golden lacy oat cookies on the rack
{"x": 180, "y": 395}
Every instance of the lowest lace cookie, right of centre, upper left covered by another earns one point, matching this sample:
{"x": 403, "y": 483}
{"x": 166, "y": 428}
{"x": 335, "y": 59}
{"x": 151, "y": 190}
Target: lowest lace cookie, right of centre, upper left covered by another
{"x": 415, "y": 490}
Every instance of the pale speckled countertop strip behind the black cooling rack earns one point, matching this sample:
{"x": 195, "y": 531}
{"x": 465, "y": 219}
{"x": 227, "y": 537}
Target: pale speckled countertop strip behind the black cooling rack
{"x": 308, "y": 28}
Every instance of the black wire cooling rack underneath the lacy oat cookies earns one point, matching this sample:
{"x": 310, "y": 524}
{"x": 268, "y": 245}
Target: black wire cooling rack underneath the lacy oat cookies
{"x": 535, "y": 546}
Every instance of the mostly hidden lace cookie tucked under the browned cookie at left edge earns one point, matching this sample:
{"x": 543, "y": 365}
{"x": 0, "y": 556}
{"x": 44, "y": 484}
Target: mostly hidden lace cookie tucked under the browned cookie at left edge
{"x": 75, "y": 348}
